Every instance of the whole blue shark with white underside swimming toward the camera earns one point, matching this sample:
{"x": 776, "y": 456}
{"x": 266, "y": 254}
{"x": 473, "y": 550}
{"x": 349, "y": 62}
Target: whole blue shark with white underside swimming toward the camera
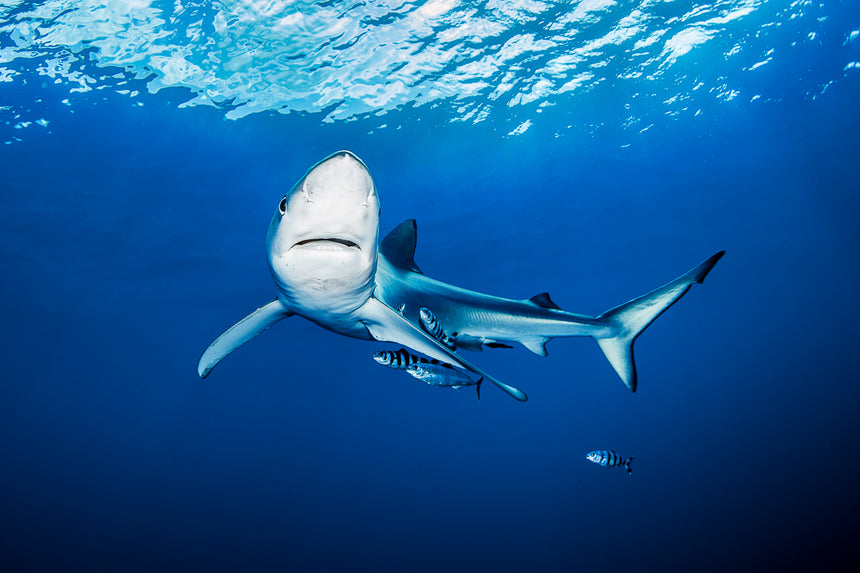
{"x": 329, "y": 266}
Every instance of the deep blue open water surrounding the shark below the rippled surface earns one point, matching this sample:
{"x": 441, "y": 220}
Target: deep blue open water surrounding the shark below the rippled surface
{"x": 132, "y": 236}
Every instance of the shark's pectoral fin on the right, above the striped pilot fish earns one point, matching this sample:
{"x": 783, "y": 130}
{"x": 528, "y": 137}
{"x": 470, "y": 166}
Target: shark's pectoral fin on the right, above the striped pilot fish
{"x": 387, "y": 325}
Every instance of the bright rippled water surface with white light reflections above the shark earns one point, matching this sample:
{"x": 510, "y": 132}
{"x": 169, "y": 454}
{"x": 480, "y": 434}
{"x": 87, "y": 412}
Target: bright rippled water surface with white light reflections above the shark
{"x": 351, "y": 59}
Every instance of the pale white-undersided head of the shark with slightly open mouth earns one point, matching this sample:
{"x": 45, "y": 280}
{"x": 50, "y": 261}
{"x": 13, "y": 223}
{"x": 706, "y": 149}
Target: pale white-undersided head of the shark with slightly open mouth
{"x": 322, "y": 241}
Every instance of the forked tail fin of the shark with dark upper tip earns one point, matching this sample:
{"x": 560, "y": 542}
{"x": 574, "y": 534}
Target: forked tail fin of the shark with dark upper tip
{"x": 631, "y": 318}
